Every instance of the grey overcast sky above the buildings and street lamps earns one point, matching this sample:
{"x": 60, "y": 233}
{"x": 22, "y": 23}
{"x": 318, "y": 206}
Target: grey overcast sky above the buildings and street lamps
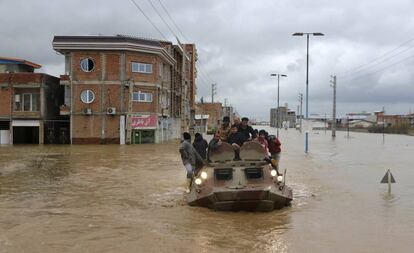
{"x": 368, "y": 44}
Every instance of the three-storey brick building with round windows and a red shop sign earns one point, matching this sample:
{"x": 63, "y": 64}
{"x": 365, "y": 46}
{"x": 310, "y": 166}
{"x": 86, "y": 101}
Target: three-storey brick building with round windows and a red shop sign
{"x": 123, "y": 89}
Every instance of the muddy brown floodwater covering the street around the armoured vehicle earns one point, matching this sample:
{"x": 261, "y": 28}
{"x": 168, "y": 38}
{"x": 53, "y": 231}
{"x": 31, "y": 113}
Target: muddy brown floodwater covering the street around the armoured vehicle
{"x": 111, "y": 198}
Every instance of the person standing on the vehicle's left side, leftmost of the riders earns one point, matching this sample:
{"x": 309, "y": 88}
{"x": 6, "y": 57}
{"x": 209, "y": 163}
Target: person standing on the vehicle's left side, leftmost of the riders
{"x": 191, "y": 159}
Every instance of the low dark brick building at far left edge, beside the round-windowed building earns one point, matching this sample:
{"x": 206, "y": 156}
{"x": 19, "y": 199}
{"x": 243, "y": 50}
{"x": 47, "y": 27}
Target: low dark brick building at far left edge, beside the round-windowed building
{"x": 29, "y": 105}
